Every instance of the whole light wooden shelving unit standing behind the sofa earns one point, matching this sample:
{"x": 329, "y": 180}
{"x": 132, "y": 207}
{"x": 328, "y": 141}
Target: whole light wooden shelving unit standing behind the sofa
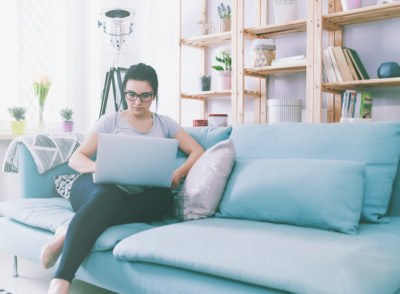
{"x": 314, "y": 24}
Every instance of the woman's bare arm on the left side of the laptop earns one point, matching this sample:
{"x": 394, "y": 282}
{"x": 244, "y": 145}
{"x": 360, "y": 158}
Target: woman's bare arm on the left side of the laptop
{"x": 80, "y": 159}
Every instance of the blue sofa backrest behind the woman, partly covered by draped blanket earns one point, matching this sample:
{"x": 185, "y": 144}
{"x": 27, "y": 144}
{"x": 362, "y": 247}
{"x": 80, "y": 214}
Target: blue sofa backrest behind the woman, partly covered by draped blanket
{"x": 35, "y": 185}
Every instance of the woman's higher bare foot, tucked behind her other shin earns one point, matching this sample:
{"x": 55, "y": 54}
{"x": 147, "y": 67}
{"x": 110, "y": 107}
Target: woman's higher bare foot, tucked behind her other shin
{"x": 52, "y": 250}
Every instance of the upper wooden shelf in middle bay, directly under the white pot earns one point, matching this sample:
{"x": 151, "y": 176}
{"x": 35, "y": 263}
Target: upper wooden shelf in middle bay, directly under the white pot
{"x": 277, "y": 29}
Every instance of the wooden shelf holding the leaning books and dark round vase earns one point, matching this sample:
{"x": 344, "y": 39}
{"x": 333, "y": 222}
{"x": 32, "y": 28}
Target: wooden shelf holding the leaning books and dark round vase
{"x": 359, "y": 85}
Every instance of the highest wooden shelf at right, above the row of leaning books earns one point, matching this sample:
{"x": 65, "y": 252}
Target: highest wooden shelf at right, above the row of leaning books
{"x": 366, "y": 14}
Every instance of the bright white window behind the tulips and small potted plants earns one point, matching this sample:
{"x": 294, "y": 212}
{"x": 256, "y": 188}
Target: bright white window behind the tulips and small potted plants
{"x": 34, "y": 41}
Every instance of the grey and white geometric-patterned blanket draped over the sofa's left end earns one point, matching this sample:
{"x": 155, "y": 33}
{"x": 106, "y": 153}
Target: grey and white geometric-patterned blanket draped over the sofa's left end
{"x": 48, "y": 150}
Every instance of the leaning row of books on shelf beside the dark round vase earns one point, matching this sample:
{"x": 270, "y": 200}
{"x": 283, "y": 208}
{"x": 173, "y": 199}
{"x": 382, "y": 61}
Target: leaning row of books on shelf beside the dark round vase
{"x": 341, "y": 64}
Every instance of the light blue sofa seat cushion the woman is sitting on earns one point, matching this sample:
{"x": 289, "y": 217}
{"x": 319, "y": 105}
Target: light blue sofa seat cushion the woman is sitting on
{"x": 51, "y": 213}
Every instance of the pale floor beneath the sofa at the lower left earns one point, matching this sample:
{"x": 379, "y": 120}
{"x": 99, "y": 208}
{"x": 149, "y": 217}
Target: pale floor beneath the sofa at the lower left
{"x": 33, "y": 279}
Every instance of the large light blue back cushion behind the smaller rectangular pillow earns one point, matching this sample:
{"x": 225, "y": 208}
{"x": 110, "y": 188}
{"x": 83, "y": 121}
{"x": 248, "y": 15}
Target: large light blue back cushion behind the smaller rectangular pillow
{"x": 375, "y": 144}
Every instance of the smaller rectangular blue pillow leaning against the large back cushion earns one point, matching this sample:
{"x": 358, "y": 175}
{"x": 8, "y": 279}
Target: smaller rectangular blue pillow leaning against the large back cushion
{"x": 324, "y": 194}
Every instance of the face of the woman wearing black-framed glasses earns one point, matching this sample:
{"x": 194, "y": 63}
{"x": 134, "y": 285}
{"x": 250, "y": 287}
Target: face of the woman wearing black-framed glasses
{"x": 139, "y": 97}
